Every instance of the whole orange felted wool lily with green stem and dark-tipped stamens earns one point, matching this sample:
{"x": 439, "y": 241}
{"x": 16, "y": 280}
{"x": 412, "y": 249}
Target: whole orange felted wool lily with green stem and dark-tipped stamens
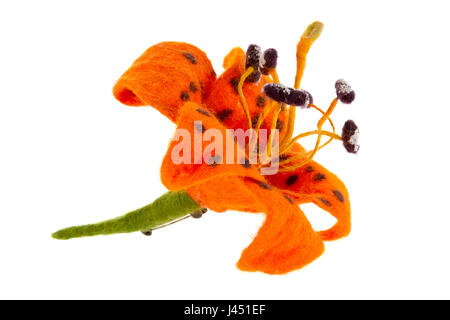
{"x": 178, "y": 80}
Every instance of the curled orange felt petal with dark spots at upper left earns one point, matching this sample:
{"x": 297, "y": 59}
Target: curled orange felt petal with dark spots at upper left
{"x": 166, "y": 76}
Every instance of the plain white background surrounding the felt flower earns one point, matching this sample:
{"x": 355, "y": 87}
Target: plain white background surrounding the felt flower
{"x": 71, "y": 154}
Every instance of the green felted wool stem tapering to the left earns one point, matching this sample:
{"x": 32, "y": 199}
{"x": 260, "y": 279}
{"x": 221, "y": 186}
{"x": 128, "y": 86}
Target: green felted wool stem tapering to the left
{"x": 170, "y": 206}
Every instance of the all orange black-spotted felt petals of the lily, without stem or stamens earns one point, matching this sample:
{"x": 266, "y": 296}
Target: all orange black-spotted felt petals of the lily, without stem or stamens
{"x": 286, "y": 241}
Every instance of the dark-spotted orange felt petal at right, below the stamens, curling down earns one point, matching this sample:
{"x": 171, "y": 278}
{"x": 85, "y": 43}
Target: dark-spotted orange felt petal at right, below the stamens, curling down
{"x": 314, "y": 183}
